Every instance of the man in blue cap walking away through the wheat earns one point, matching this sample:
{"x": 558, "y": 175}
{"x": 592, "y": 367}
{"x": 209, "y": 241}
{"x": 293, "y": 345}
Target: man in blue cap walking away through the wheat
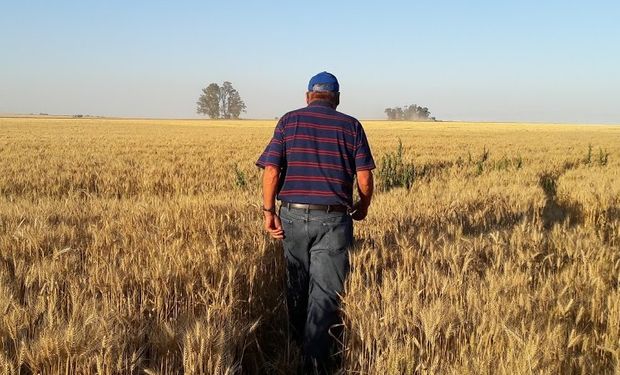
{"x": 311, "y": 164}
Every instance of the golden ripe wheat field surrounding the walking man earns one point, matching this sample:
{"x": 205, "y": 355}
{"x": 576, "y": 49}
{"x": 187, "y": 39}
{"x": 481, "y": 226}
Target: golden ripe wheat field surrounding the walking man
{"x": 136, "y": 246}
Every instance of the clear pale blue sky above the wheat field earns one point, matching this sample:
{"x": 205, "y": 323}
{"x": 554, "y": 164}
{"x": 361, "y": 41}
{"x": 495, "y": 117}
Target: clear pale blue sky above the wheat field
{"x": 539, "y": 61}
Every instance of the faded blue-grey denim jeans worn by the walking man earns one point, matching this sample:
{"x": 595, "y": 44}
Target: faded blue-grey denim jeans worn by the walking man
{"x": 316, "y": 245}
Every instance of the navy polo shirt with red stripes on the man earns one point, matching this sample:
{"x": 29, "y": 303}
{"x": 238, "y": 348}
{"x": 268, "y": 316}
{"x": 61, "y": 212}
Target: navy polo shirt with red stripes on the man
{"x": 318, "y": 150}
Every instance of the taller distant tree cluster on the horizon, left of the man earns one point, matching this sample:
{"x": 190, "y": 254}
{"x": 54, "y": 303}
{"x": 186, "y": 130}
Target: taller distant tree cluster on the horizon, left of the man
{"x": 220, "y": 102}
